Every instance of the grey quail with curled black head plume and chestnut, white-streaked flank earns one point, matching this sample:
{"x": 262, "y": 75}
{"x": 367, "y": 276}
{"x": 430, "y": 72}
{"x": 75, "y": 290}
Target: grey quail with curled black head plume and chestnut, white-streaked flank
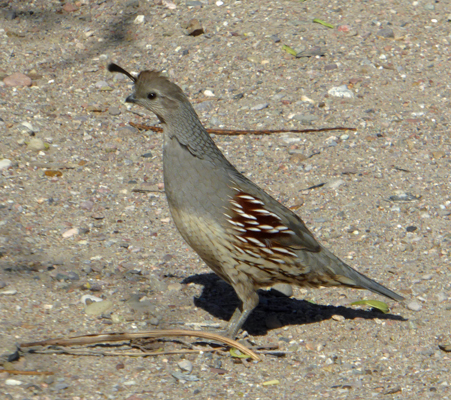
{"x": 243, "y": 234}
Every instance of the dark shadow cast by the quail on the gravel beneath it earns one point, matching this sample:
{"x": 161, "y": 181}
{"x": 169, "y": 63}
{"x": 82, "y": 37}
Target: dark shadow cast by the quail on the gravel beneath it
{"x": 220, "y": 300}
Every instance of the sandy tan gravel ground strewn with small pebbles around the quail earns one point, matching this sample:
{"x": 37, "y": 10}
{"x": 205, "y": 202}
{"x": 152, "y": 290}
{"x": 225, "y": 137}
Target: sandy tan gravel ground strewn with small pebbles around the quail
{"x": 83, "y": 211}
